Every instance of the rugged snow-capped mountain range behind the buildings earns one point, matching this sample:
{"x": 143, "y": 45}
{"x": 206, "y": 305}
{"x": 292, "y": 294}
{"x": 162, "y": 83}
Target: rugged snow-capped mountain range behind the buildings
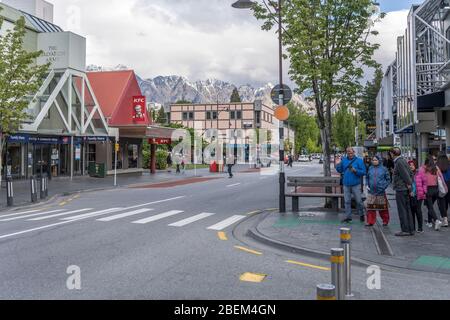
{"x": 170, "y": 89}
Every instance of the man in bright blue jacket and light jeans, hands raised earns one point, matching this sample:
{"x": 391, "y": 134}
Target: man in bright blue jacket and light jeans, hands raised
{"x": 352, "y": 169}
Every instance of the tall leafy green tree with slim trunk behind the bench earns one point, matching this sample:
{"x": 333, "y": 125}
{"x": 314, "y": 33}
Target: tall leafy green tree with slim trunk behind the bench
{"x": 327, "y": 43}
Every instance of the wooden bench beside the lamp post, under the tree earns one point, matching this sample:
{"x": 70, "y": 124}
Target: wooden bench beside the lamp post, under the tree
{"x": 317, "y": 182}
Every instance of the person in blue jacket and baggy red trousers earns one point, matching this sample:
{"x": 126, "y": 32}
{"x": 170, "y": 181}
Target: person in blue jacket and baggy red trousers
{"x": 378, "y": 180}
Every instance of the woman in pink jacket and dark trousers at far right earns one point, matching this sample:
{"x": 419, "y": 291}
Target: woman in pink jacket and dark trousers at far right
{"x": 433, "y": 175}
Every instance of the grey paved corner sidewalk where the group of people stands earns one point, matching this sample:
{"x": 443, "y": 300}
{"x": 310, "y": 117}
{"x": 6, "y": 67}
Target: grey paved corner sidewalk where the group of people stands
{"x": 315, "y": 231}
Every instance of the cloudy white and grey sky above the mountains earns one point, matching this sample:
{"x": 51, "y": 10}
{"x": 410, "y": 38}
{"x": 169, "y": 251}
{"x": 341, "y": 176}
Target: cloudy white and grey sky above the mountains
{"x": 198, "y": 39}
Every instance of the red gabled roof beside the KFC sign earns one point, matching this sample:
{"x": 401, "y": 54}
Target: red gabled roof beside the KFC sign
{"x": 114, "y": 91}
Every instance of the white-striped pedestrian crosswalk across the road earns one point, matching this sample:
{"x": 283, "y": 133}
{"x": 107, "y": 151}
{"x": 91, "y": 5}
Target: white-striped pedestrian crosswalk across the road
{"x": 143, "y": 216}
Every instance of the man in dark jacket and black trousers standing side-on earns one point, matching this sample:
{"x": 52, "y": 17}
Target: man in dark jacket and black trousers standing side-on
{"x": 402, "y": 184}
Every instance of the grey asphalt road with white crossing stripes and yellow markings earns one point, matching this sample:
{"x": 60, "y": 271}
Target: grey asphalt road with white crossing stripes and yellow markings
{"x": 182, "y": 242}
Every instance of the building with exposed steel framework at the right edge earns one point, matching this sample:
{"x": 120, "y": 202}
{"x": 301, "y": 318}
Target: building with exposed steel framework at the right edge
{"x": 415, "y": 92}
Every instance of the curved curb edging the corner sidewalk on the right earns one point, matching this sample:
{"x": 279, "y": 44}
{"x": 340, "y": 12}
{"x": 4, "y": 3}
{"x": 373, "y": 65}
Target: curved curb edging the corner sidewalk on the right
{"x": 255, "y": 234}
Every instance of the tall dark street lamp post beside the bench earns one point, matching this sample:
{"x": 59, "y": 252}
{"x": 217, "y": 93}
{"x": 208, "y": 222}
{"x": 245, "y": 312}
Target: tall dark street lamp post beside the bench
{"x": 247, "y": 4}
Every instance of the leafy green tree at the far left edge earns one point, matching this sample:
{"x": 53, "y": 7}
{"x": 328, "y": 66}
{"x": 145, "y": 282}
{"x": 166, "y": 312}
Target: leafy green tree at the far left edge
{"x": 20, "y": 78}
